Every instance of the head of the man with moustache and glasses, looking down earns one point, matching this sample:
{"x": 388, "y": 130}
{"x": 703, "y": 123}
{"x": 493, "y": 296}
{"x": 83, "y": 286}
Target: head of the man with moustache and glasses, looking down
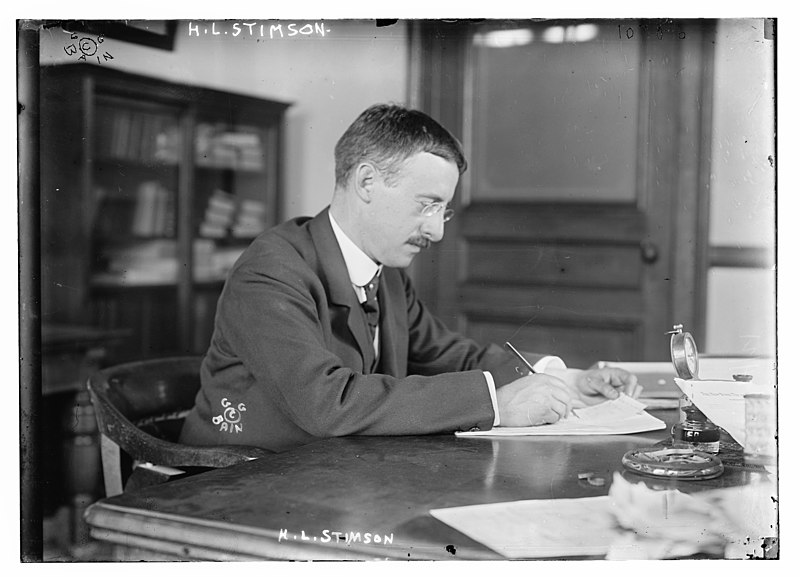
{"x": 396, "y": 170}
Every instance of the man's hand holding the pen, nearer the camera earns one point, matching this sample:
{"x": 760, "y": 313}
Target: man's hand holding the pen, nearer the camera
{"x": 533, "y": 400}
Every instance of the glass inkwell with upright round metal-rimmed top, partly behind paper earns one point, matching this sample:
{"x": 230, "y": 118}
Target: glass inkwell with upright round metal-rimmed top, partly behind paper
{"x": 693, "y": 430}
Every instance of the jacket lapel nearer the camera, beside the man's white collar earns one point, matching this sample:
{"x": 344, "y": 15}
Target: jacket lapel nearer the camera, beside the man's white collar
{"x": 333, "y": 273}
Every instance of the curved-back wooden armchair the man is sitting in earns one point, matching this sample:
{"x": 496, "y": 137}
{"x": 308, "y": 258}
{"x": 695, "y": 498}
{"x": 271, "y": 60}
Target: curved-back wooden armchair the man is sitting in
{"x": 140, "y": 407}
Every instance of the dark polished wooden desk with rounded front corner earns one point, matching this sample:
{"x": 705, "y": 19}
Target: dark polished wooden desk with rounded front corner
{"x": 289, "y": 506}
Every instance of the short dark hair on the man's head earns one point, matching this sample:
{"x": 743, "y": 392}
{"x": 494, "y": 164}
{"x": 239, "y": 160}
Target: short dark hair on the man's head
{"x": 389, "y": 134}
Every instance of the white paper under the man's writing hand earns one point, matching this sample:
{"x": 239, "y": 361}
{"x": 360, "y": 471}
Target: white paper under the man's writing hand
{"x": 621, "y": 416}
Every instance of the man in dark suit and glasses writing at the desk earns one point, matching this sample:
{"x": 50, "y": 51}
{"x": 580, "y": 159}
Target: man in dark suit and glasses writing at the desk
{"x": 319, "y": 332}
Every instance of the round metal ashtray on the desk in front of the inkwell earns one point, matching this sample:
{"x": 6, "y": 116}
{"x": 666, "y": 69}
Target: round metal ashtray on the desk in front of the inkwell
{"x": 684, "y": 464}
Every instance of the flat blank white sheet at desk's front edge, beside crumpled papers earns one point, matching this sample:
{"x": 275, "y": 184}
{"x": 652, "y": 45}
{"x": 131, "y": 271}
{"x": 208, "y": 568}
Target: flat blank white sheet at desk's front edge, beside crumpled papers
{"x": 536, "y": 529}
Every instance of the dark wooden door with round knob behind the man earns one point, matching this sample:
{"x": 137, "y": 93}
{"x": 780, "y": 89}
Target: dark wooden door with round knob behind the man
{"x": 579, "y": 225}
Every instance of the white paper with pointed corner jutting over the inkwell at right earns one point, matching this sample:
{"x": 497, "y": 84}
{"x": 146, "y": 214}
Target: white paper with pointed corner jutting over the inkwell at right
{"x": 723, "y": 402}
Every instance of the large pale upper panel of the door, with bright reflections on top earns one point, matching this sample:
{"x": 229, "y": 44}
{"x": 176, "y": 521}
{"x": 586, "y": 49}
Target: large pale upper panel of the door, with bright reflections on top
{"x": 522, "y": 145}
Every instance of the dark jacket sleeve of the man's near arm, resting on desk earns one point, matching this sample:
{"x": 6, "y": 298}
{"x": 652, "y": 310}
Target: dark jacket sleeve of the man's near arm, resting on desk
{"x": 277, "y": 325}
